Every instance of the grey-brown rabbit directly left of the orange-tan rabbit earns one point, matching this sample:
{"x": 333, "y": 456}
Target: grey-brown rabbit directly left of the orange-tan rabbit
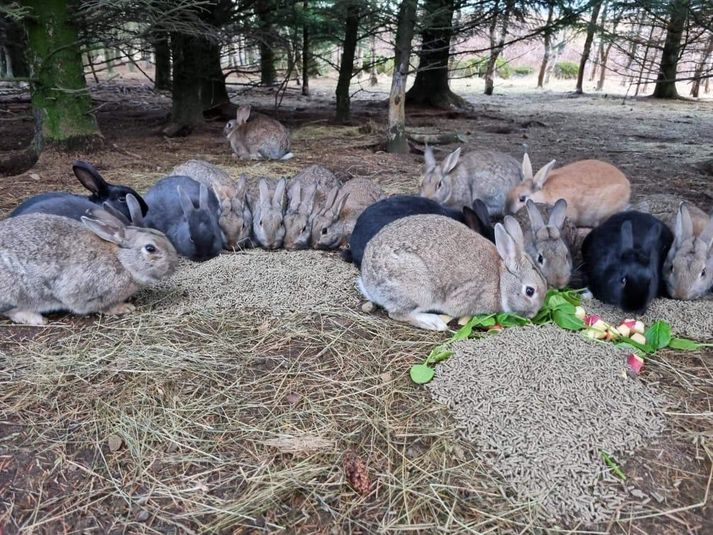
{"x": 484, "y": 174}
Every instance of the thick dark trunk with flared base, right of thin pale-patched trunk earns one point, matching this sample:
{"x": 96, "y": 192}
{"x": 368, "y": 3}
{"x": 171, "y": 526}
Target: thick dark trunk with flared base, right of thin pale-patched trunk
{"x": 430, "y": 88}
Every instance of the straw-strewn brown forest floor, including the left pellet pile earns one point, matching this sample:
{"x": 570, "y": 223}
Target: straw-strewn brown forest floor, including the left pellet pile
{"x": 243, "y": 418}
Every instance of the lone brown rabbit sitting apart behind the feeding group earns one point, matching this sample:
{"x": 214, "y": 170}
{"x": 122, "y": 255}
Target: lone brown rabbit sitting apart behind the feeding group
{"x": 260, "y": 138}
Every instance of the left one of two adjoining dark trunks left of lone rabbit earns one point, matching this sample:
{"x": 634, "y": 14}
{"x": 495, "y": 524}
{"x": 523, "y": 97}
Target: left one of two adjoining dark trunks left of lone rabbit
{"x": 187, "y": 105}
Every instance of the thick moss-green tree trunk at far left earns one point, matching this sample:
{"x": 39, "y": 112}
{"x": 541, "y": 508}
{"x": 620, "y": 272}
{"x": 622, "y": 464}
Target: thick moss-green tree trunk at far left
{"x": 61, "y": 103}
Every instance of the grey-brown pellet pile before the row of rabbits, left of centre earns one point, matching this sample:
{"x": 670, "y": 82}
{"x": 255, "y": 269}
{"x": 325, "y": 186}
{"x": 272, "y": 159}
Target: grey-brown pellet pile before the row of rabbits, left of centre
{"x": 279, "y": 281}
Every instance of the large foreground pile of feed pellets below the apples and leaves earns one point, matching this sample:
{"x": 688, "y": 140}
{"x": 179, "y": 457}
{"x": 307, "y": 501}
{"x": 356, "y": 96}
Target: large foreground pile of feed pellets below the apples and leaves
{"x": 539, "y": 404}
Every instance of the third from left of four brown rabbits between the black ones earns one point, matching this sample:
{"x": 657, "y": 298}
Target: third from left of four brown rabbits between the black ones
{"x": 306, "y": 195}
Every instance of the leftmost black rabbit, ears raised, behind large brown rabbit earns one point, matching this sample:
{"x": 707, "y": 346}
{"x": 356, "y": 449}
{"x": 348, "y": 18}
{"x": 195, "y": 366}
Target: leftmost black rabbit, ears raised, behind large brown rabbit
{"x": 74, "y": 206}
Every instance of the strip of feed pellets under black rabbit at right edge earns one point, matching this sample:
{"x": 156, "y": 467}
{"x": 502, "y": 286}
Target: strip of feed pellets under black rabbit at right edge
{"x": 692, "y": 319}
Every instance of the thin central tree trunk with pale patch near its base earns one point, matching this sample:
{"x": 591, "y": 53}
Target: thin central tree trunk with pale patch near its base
{"x": 396, "y": 133}
